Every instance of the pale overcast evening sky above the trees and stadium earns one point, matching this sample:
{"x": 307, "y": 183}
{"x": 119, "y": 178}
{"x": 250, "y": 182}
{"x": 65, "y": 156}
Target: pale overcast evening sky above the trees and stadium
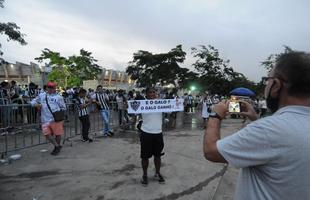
{"x": 244, "y": 31}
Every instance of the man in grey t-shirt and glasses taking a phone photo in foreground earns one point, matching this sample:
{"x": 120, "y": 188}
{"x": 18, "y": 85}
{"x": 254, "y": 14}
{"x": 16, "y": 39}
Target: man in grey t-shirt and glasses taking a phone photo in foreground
{"x": 272, "y": 152}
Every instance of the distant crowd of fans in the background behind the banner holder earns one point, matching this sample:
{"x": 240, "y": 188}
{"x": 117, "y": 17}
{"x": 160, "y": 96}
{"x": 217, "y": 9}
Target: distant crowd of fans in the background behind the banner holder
{"x": 11, "y": 93}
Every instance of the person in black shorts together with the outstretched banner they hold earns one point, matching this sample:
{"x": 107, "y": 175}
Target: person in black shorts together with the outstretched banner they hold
{"x": 151, "y": 138}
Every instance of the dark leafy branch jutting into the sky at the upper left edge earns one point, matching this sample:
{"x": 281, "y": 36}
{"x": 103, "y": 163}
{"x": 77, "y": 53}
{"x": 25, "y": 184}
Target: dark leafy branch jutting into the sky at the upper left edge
{"x": 11, "y": 30}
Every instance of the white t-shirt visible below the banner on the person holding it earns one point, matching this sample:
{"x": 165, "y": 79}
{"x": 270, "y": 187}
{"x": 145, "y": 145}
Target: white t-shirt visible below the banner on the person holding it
{"x": 152, "y": 123}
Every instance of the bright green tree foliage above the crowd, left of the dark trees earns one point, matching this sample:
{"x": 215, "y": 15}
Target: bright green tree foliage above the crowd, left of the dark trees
{"x": 73, "y": 70}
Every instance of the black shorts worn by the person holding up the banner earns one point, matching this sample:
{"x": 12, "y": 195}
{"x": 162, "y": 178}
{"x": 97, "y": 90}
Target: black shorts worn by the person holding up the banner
{"x": 151, "y": 144}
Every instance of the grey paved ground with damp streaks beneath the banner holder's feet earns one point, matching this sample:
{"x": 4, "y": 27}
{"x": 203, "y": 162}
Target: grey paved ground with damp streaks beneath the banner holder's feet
{"x": 110, "y": 169}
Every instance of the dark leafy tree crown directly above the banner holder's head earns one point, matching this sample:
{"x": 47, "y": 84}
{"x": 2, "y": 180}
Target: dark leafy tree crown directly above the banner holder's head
{"x": 148, "y": 69}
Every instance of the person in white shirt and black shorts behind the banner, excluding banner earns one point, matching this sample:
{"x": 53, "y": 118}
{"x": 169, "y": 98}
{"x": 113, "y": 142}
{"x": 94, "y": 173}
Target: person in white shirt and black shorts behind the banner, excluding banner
{"x": 151, "y": 140}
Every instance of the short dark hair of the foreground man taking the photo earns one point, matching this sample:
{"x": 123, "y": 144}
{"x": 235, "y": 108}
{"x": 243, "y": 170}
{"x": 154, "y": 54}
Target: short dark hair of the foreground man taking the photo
{"x": 294, "y": 67}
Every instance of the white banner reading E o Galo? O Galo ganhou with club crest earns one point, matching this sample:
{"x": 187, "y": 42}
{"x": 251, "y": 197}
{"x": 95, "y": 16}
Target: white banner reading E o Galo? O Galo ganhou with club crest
{"x": 155, "y": 105}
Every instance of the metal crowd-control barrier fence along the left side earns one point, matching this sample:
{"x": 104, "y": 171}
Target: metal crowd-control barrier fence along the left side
{"x": 20, "y": 125}
